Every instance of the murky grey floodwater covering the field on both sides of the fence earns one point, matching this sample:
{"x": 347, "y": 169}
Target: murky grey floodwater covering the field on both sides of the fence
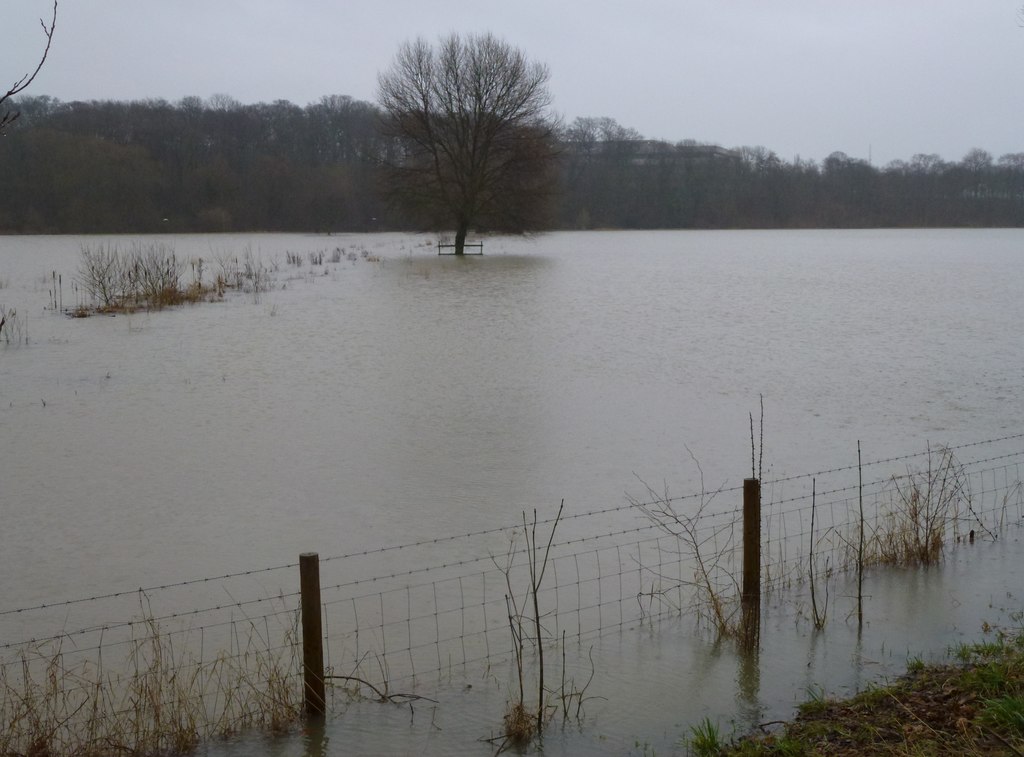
{"x": 403, "y": 397}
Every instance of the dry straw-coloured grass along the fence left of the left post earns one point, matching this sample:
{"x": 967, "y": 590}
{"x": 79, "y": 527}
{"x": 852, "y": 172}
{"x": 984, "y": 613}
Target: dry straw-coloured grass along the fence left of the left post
{"x": 163, "y": 697}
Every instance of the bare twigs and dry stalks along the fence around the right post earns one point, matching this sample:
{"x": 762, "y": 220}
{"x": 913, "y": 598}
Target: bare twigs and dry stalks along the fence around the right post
{"x": 908, "y": 522}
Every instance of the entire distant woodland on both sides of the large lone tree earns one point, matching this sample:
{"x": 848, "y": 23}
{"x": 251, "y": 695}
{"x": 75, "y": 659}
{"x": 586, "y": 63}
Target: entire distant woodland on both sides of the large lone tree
{"x": 218, "y": 165}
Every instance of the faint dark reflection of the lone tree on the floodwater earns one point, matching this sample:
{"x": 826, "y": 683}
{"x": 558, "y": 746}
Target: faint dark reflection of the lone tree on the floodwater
{"x": 461, "y": 391}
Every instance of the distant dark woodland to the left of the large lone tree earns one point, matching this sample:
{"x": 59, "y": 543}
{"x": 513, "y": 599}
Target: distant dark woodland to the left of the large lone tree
{"x": 192, "y": 166}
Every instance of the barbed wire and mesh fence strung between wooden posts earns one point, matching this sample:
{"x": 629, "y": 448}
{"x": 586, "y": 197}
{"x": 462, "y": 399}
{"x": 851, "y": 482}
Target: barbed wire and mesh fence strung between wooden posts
{"x": 162, "y": 667}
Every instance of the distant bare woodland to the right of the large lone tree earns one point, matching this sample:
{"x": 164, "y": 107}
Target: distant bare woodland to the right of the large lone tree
{"x": 613, "y": 178}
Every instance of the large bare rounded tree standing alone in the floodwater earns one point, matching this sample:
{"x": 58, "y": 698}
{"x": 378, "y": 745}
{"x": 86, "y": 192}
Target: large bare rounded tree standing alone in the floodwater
{"x": 476, "y": 140}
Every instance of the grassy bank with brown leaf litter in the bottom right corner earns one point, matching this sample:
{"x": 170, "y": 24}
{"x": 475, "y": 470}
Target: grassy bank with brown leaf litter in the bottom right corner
{"x": 972, "y": 706}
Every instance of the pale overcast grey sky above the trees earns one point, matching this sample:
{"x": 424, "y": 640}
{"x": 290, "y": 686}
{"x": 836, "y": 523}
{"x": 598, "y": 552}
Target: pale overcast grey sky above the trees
{"x": 884, "y": 79}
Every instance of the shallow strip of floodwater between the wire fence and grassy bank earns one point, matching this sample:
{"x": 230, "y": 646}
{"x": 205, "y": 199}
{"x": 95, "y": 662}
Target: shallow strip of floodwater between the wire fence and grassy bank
{"x": 654, "y": 683}
